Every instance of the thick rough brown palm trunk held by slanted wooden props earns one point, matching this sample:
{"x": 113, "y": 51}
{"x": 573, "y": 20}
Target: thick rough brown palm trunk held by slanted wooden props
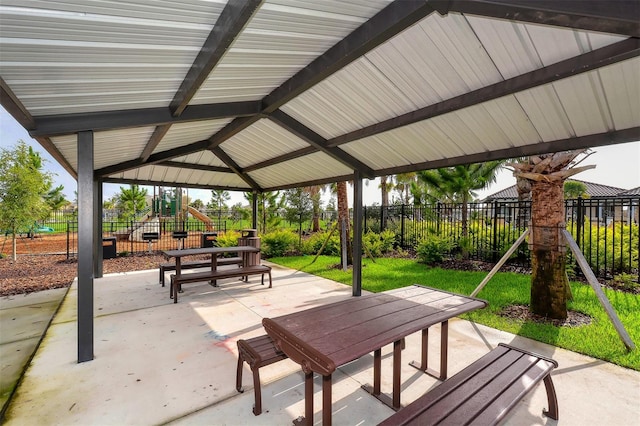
{"x": 548, "y": 277}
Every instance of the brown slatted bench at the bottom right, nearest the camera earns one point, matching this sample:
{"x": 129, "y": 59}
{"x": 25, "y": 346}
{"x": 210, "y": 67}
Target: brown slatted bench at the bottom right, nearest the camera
{"x": 484, "y": 392}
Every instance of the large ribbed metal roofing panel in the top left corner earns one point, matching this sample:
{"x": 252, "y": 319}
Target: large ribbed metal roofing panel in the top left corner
{"x": 126, "y": 55}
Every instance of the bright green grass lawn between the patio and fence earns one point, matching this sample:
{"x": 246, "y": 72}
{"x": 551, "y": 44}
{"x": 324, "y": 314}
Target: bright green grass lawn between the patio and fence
{"x": 599, "y": 339}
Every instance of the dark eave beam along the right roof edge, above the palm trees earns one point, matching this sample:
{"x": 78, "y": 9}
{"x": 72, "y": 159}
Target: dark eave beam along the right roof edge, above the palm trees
{"x": 579, "y": 142}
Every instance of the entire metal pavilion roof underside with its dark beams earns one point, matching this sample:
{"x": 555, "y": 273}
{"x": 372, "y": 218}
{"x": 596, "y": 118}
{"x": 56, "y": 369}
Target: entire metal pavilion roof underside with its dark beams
{"x": 263, "y": 95}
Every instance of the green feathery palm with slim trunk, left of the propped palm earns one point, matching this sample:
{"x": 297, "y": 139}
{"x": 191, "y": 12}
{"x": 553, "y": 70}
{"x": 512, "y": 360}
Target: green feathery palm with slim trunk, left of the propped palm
{"x": 459, "y": 183}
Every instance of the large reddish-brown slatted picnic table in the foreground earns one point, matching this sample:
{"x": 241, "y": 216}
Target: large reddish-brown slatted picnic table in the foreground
{"x": 323, "y": 338}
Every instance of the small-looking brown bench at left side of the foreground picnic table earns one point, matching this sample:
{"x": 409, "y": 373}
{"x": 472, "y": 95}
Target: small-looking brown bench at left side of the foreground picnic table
{"x": 257, "y": 352}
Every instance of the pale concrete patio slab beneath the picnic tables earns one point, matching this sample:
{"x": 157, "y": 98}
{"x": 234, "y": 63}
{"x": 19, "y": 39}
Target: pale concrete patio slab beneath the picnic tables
{"x": 160, "y": 363}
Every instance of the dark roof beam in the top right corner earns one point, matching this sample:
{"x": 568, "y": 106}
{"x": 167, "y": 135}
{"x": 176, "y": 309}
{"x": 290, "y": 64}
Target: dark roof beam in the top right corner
{"x": 609, "y": 16}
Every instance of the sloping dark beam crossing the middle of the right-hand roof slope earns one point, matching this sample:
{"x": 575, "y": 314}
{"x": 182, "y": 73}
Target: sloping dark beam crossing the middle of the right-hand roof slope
{"x": 622, "y": 50}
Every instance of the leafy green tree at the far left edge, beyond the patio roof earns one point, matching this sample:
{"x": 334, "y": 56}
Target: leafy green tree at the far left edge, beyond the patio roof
{"x": 23, "y": 186}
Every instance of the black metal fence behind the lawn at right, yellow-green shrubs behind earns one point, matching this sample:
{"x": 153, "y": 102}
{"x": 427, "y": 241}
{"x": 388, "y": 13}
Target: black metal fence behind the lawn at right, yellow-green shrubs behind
{"x": 606, "y": 230}
